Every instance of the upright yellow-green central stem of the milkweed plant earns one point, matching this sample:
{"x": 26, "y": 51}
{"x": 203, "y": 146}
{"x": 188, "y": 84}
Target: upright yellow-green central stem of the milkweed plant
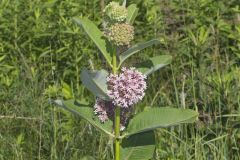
{"x": 117, "y": 115}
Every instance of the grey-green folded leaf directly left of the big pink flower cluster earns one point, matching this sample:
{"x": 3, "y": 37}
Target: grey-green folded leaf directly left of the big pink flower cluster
{"x": 96, "y": 82}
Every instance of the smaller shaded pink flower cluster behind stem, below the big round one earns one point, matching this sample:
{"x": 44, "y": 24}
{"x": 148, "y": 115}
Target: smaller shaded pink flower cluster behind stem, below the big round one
{"x": 105, "y": 110}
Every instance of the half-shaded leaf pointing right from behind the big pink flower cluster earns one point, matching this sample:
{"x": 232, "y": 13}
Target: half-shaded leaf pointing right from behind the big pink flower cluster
{"x": 153, "y": 64}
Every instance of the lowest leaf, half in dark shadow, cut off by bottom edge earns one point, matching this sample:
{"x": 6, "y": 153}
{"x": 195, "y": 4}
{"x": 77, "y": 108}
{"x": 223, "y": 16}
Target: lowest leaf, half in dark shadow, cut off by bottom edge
{"x": 138, "y": 147}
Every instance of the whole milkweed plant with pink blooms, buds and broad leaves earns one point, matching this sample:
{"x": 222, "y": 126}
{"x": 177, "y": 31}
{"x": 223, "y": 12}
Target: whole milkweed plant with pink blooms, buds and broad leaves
{"x": 119, "y": 90}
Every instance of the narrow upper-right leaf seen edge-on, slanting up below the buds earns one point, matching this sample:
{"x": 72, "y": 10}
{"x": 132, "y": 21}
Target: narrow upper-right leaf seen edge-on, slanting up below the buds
{"x": 136, "y": 48}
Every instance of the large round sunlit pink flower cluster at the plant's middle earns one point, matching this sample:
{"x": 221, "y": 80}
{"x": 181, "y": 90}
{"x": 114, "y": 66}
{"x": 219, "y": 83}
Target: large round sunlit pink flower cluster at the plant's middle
{"x": 127, "y": 88}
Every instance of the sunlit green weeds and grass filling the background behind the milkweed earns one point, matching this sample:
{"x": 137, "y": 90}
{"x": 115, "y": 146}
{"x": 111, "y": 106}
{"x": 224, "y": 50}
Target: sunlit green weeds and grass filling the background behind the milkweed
{"x": 42, "y": 52}
